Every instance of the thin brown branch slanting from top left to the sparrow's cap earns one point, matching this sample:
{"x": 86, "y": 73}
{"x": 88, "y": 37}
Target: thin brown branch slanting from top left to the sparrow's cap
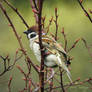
{"x": 17, "y": 12}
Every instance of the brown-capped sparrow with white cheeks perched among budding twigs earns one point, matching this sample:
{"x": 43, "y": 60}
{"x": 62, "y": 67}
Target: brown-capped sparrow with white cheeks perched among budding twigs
{"x": 54, "y": 54}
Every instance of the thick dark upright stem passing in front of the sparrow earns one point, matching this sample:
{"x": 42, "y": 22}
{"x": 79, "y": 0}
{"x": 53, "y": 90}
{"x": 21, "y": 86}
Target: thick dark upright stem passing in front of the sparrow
{"x": 41, "y": 75}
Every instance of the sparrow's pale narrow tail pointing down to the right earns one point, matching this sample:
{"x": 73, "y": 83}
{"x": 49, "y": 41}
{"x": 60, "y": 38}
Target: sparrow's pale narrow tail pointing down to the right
{"x": 62, "y": 65}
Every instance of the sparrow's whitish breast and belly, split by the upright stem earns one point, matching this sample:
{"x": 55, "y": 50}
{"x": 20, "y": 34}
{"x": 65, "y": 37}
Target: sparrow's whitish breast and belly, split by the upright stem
{"x": 50, "y": 60}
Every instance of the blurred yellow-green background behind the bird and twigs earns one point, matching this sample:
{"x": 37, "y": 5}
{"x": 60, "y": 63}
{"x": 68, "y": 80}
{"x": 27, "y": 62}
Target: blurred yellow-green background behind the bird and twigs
{"x": 75, "y": 23}
